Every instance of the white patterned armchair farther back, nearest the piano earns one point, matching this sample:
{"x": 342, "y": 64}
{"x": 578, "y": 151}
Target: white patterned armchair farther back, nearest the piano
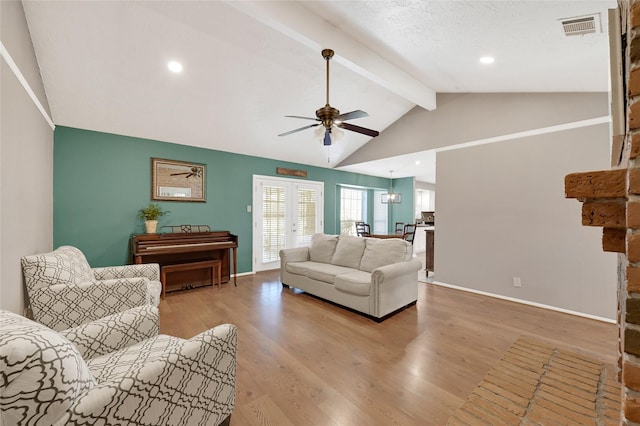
{"x": 64, "y": 291}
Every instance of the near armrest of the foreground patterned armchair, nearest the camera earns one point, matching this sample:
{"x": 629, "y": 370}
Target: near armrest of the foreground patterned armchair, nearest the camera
{"x": 194, "y": 383}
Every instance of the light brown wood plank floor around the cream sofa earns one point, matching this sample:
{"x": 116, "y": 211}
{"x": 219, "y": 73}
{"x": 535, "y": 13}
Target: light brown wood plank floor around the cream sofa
{"x": 302, "y": 361}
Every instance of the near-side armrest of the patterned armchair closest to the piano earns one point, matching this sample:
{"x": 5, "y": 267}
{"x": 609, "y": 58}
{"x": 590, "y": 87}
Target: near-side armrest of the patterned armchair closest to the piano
{"x": 65, "y": 306}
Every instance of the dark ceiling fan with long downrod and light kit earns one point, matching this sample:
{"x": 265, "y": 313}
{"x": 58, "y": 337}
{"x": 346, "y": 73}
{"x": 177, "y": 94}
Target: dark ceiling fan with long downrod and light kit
{"x": 330, "y": 117}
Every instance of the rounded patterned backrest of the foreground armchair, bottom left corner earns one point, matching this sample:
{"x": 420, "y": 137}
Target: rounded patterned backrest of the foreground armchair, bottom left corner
{"x": 43, "y": 373}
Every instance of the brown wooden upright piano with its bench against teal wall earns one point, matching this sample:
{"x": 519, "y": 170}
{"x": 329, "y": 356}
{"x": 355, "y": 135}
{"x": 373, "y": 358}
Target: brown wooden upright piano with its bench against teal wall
{"x": 187, "y": 247}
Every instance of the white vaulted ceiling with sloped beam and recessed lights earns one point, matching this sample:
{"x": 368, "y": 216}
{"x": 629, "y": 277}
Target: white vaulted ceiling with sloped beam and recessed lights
{"x": 248, "y": 64}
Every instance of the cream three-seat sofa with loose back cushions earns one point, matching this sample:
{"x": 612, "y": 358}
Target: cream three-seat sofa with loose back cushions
{"x": 376, "y": 277}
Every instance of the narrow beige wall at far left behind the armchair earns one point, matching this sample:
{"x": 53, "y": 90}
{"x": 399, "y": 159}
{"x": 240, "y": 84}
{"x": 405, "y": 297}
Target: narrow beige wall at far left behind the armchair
{"x": 26, "y": 159}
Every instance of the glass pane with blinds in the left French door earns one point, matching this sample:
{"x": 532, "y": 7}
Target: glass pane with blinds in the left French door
{"x": 273, "y": 222}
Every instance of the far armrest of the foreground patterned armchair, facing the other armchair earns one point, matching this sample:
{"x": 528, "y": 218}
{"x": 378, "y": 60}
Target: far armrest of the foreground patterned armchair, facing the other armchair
{"x": 114, "y": 332}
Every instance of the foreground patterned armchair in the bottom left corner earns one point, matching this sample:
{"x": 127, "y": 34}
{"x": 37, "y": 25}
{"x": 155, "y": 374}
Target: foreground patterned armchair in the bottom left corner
{"x": 59, "y": 378}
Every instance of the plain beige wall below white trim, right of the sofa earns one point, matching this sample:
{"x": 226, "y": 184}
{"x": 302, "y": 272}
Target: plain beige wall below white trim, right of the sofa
{"x": 502, "y": 214}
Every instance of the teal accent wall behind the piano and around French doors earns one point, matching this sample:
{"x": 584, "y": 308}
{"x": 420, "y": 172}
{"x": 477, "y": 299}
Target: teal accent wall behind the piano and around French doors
{"x": 101, "y": 180}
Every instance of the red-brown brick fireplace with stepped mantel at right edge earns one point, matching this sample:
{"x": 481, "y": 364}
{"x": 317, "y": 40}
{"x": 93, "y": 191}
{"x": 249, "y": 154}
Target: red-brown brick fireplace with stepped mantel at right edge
{"x": 611, "y": 199}
